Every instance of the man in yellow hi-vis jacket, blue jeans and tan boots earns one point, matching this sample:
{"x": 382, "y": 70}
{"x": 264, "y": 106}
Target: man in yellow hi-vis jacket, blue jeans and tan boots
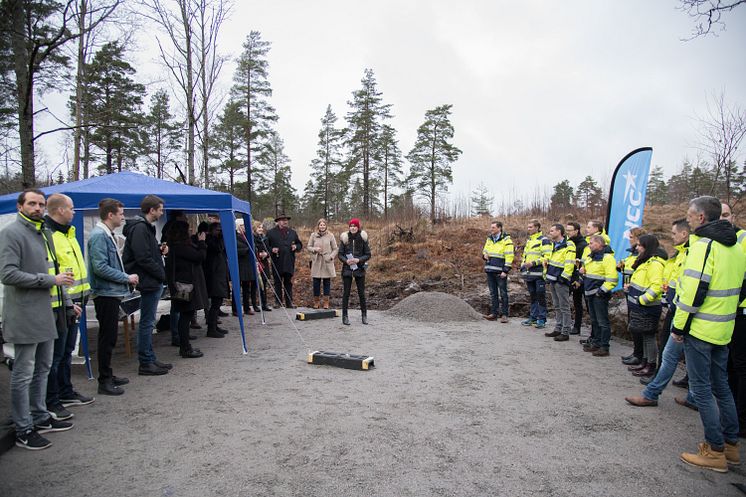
{"x": 707, "y": 299}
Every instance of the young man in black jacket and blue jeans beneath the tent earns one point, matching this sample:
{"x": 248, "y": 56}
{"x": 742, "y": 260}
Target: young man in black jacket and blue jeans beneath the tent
{"x": 143, "y": 256}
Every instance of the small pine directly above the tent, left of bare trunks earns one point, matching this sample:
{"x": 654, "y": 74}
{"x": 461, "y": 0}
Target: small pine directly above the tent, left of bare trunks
{"x": 162, "y": 137}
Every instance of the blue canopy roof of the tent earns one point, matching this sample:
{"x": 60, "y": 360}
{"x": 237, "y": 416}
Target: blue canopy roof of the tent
{"x": 129, "y": 188}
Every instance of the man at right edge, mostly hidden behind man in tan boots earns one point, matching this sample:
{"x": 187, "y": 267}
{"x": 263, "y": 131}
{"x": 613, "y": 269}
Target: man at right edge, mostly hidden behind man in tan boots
{"x": 737, "y": 345}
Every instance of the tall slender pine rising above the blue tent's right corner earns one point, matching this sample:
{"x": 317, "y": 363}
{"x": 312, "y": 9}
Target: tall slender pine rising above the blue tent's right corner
{"x": 251, "y": 87}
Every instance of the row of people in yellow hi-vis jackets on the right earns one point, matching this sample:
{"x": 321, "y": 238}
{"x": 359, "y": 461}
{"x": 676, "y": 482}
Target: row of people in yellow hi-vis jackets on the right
{"x": 702, "y": 284}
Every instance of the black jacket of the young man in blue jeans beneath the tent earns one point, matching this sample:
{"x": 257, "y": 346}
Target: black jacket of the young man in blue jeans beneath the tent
{"x": 142, "y": 255}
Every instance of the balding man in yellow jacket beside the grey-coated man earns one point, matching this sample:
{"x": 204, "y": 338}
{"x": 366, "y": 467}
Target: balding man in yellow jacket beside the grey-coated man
{"x": 60, "y": 391}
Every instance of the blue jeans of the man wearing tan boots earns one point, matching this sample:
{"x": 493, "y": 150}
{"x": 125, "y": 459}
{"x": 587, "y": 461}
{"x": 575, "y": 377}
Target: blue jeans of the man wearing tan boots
{"x": 708, "y": 382}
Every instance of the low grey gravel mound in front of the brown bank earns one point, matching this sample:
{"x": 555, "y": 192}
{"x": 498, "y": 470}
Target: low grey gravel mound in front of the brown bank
{"x": 434, "y": 307}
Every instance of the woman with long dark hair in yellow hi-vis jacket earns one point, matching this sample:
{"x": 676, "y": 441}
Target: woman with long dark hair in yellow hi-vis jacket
{"x": 644, "y": 293}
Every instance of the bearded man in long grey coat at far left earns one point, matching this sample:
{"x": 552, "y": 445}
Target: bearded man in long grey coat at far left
{"x": 32, "y": 279}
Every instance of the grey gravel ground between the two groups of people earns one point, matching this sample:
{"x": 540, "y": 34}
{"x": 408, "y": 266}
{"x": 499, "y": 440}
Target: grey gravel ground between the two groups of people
{"x": 451, "y": 409}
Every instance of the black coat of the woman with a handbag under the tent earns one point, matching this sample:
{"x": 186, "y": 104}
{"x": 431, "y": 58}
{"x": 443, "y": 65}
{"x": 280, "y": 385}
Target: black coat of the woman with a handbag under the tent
{"x": 184, "y": 264}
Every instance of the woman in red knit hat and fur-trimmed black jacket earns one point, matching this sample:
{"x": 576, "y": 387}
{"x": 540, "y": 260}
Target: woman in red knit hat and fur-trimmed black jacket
{"x": 354, "y": 252}
